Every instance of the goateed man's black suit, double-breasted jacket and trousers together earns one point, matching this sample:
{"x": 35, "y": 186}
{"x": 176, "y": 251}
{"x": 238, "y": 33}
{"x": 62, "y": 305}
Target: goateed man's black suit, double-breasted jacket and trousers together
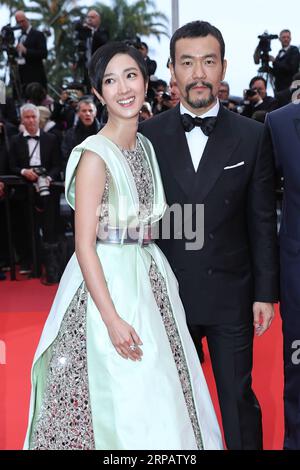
{"x": 238, "y": 262}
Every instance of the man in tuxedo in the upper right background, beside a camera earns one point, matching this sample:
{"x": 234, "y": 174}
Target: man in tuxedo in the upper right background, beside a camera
{"x": 286, "y": 63}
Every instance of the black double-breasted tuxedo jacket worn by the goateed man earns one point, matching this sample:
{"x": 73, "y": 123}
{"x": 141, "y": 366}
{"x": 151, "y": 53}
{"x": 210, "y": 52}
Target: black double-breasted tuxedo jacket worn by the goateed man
{"x": 238, "y": 262}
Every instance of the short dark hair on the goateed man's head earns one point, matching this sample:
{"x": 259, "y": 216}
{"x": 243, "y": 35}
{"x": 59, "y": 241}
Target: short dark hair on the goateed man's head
{"x": 196, "y": 29}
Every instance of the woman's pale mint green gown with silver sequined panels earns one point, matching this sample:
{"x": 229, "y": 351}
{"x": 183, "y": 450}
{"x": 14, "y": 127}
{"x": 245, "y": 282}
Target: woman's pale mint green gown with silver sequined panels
{"x": 84, "y": 394}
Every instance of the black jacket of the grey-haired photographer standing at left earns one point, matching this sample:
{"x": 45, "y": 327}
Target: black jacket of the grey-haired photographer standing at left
{"x": 49, "y": 149}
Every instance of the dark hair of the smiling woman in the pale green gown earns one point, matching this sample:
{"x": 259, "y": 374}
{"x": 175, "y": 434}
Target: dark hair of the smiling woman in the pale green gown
{"x": 104, "y": 54}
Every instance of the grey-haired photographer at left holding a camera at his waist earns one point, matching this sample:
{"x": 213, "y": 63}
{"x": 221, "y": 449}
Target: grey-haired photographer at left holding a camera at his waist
{"x": 35, "y": 155}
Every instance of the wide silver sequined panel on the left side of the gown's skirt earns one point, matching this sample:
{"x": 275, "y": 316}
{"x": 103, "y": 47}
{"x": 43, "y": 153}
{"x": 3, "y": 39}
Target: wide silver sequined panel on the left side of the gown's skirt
{"x": 65, "y": 419}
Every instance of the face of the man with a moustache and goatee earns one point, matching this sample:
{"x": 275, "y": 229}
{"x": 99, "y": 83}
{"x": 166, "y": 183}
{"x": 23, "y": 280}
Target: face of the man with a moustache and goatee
{"x": 198, "y": 71}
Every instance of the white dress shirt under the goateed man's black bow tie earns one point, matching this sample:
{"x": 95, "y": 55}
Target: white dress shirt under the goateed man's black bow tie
{"x": 196, "y": 139}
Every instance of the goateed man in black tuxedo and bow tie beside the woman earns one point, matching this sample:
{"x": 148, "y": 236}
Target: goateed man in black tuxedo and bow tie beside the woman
{"x": 231, "y": 283}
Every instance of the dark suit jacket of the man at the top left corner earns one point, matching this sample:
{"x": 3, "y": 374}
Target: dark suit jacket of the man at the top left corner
{"x": 33, "y": 70}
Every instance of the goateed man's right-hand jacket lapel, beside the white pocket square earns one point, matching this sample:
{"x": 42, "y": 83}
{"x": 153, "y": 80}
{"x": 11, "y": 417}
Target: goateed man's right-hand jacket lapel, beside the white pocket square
{"x": 217, "y": 153}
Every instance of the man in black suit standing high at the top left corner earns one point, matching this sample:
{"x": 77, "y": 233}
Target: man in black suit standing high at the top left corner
{"x": 32, "y": 49}
